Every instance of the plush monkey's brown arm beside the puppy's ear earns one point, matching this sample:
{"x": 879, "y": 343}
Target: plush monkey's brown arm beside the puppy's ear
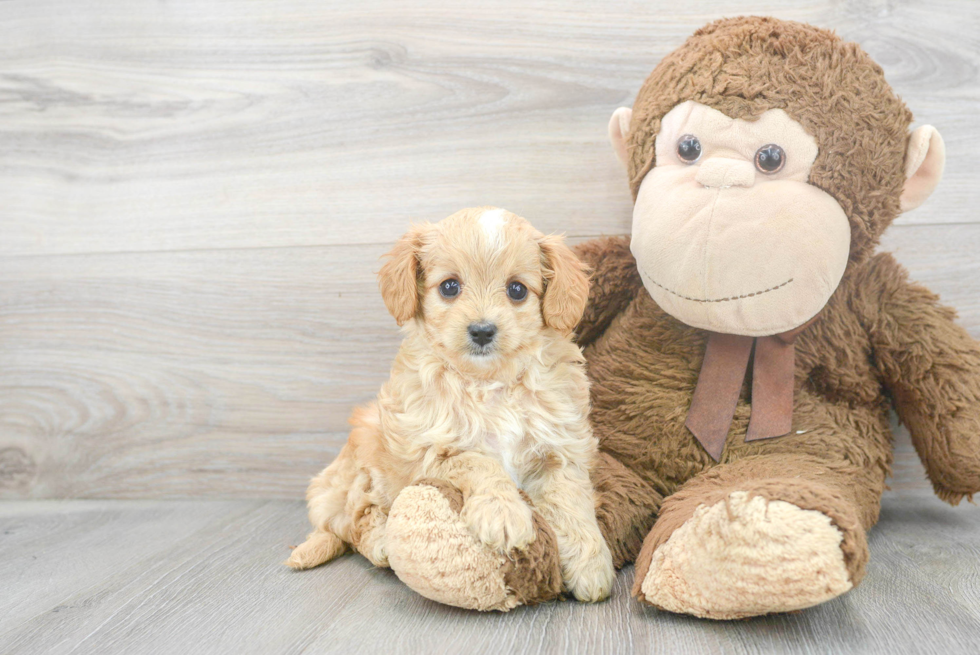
{"x": 615, "y": 282}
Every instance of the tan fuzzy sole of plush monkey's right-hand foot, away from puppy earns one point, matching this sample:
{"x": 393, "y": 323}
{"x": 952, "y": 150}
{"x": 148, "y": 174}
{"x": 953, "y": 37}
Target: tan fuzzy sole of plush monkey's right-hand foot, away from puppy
{"x": 744, "y": 556}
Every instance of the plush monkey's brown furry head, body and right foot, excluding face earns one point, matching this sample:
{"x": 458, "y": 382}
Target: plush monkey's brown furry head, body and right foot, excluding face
{"x": 751, "y": 531}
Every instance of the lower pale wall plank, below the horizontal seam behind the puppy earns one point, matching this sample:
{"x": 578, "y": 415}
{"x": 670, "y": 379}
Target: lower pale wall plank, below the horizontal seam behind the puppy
{"x": 232, "y": 373}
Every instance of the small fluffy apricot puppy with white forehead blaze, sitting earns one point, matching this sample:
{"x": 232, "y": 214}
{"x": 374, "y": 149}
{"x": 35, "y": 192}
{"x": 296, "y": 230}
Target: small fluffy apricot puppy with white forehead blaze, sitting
{"x": 488, "y": 392}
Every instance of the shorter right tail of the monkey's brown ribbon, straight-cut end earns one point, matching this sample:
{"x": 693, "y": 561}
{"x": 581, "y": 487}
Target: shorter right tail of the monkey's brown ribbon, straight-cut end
{"x": 772, "y": 388}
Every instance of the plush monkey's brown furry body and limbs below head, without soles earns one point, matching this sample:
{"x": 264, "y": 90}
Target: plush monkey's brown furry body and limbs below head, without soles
{"x": 880, "y": 336}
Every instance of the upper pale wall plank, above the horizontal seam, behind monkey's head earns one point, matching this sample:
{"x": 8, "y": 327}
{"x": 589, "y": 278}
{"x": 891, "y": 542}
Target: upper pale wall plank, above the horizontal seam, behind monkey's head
{"x": 135, "y": 126}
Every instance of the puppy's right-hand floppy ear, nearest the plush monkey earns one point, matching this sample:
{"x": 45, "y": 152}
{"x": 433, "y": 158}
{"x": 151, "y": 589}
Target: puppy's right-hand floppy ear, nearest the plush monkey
{"x": 566, "y": 281}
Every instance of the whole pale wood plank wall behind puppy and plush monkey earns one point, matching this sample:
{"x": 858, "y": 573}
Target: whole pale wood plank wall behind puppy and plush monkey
{"x": 194, "y": 197}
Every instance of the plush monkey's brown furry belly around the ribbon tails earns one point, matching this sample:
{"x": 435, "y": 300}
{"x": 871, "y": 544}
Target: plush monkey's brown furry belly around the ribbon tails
{"x": 642, "y": 390}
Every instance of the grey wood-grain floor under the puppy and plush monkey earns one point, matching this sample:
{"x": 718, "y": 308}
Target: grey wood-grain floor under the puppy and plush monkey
{"x": 205, "y": 577}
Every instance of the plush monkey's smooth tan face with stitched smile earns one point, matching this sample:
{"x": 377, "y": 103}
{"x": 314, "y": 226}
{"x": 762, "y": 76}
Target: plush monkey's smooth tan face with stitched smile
{"x": 727, "y": 233}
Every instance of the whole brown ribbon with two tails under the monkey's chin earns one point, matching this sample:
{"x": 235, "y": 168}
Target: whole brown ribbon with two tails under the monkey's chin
{"x": 726, "y": 359}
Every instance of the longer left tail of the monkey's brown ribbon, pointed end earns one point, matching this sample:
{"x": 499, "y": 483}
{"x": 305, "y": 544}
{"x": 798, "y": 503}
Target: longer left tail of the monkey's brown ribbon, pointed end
{"x": 726, "y": 358}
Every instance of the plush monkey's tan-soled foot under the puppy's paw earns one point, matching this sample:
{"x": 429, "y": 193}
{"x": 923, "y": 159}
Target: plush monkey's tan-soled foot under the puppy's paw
{"x": 431, "y": 550}
